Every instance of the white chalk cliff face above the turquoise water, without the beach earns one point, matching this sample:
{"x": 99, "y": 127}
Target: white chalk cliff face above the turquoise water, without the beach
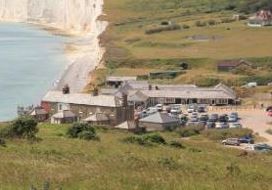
{"x": 75, "y": 15}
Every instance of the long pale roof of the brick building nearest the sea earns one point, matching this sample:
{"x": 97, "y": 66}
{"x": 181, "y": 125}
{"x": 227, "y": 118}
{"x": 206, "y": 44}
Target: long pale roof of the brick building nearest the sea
{"x": 82, "y": 99}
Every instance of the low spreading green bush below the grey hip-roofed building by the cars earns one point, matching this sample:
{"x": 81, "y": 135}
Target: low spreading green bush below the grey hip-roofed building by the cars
{"x": 145, "y": 140}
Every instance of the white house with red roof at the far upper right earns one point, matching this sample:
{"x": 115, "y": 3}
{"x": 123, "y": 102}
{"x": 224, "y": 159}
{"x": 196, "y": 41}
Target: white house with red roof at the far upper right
{"x": 260, "y": 19}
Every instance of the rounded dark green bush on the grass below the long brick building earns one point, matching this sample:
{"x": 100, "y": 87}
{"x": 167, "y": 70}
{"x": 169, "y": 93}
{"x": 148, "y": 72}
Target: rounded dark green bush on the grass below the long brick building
{"x": 82, "y": 131}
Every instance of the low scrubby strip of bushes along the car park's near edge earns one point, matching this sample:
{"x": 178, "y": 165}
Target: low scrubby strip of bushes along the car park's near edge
{"x": 221, "y": 134}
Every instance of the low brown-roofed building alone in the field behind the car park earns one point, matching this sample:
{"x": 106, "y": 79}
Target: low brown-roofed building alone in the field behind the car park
{"x": 229, "y": 65}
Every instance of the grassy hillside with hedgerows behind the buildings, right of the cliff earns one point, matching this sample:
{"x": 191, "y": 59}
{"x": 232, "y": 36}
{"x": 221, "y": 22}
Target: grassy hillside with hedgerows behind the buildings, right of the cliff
{"x": 130, "y": 51}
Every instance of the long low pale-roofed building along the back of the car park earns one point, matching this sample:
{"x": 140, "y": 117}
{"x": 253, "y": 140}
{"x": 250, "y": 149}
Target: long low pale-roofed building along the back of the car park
{"x": 140, "y": 93}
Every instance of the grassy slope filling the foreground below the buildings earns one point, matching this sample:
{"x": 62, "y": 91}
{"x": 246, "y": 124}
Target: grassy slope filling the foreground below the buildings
{"x": 112, "y": 164}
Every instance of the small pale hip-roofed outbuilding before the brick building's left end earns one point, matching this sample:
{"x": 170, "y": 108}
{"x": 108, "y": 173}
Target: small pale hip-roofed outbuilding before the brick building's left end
{"x": 64, "y": 116}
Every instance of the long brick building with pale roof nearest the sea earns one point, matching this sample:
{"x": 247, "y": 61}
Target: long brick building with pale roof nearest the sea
{"x": 83, "y": 105}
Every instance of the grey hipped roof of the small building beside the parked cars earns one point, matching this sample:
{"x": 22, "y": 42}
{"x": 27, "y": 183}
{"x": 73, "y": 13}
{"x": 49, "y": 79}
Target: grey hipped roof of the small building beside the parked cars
{"x": 160, "y": 118}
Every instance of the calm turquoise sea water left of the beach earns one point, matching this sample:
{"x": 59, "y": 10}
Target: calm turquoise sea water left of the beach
{"x": 30, "y": 61}
